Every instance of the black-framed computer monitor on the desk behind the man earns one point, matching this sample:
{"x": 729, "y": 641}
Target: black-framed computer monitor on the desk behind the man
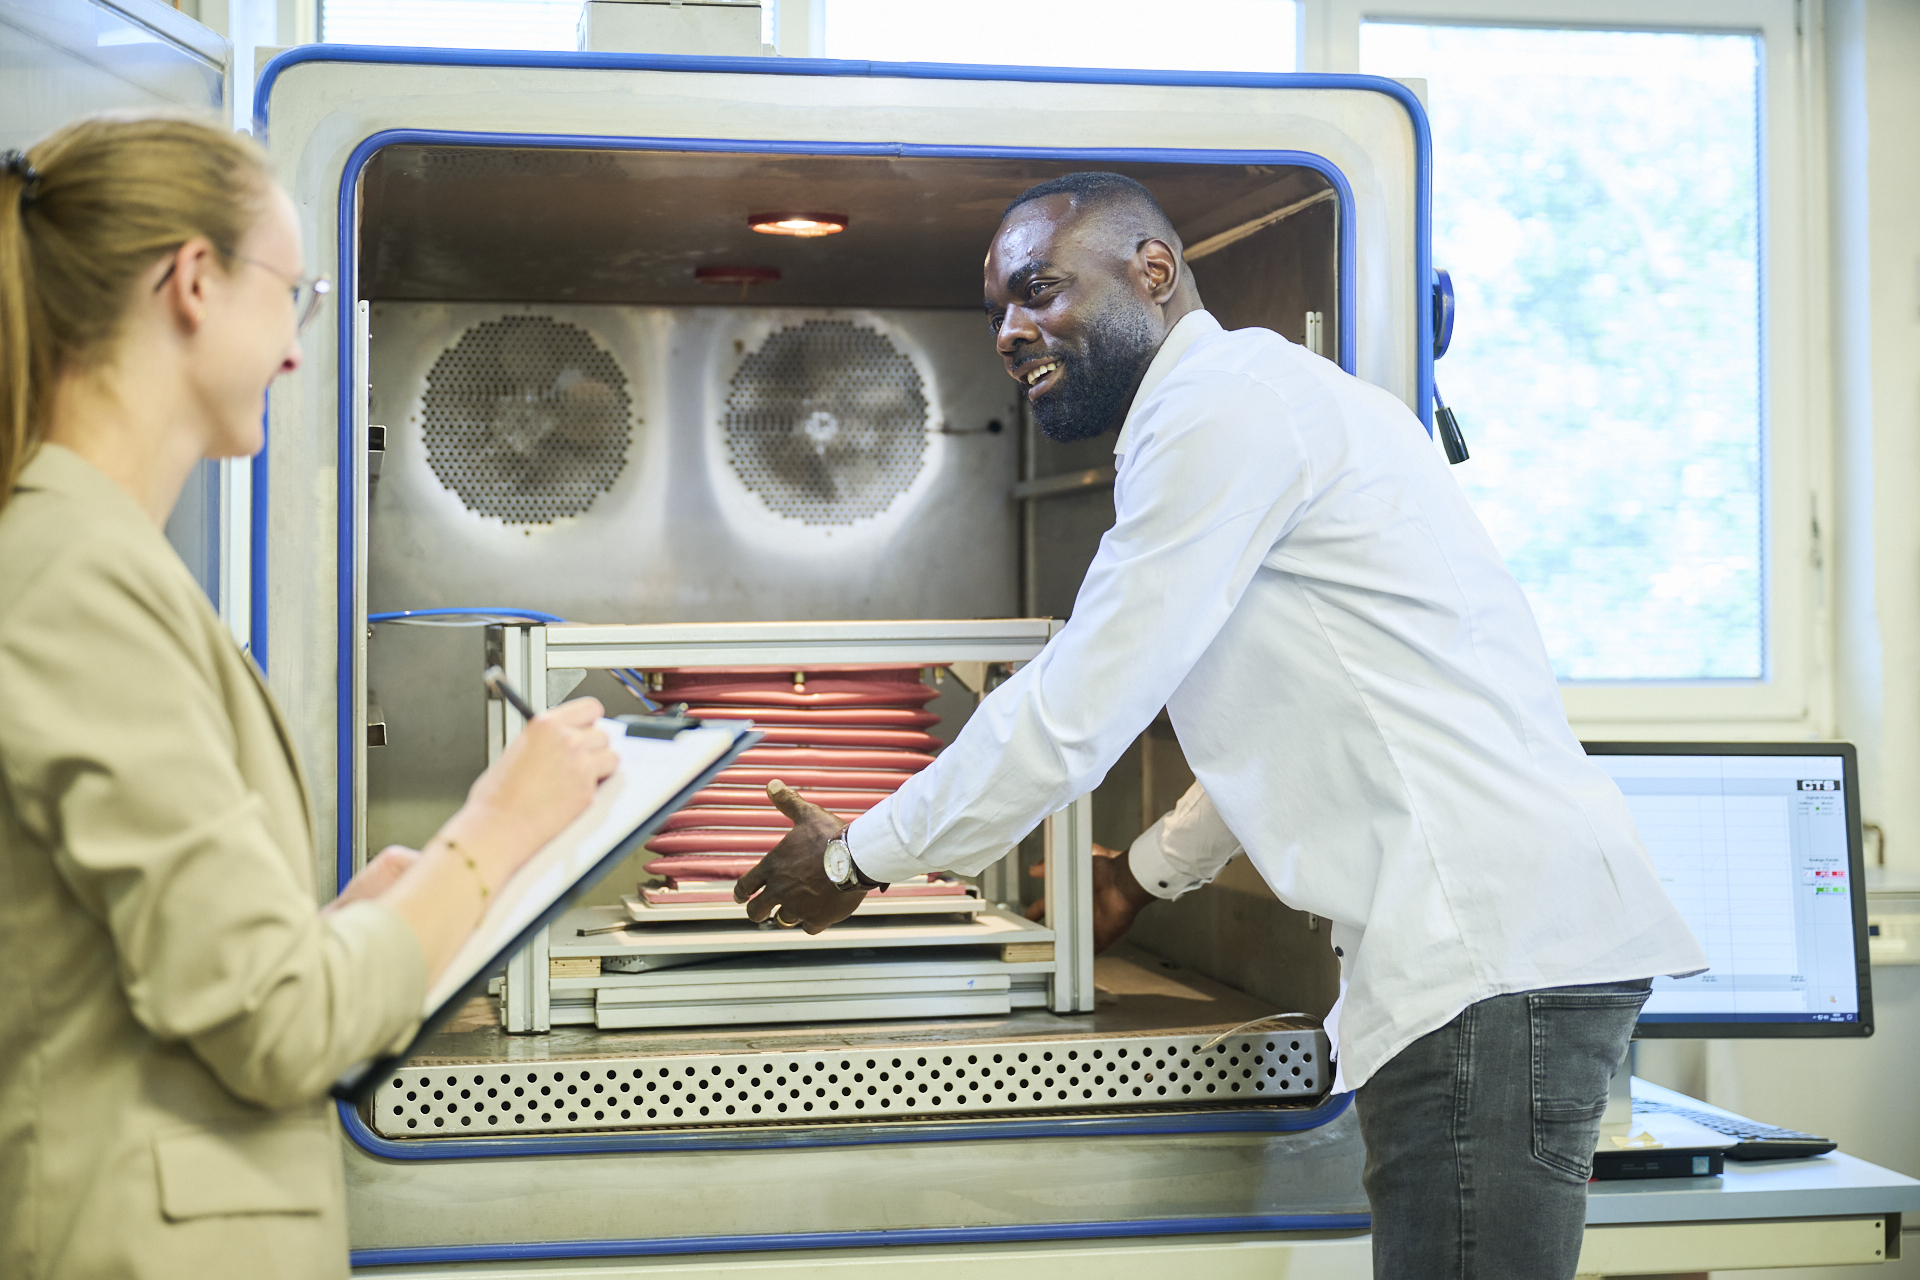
{"x": 1760, "y": 847}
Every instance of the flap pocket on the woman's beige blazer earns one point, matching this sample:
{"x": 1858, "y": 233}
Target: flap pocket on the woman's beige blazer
{"x": 247, "y": 1168}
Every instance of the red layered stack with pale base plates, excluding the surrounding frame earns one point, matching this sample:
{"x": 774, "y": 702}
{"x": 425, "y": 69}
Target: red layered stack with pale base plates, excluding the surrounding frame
{"x": 688, "y": 957}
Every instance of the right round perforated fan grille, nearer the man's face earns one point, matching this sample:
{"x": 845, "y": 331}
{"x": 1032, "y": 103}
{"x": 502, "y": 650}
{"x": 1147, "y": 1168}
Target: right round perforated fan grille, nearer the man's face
{"x": 827, "y": 423}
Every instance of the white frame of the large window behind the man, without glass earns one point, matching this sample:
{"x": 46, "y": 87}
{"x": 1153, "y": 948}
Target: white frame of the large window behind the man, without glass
{"x": 1794, "y": 698}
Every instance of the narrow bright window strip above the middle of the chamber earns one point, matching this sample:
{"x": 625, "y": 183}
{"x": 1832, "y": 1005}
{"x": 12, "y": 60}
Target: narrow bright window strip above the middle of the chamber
{"x": 1070, "y": 34}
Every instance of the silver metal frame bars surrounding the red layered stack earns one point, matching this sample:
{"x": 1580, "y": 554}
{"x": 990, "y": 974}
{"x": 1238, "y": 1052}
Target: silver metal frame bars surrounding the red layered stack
{"x": 550, "y": 661}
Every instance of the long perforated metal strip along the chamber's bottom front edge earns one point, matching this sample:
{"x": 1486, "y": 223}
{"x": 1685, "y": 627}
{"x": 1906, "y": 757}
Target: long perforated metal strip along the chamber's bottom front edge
{"x": 946, "y": 1081}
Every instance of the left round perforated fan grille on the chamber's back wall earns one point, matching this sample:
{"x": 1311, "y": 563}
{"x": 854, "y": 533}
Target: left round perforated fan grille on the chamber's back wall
{"x": 527, "y": 419}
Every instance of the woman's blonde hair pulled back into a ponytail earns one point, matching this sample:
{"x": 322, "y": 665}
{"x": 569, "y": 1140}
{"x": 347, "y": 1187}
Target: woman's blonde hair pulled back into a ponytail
{"x": 84, "y": 216}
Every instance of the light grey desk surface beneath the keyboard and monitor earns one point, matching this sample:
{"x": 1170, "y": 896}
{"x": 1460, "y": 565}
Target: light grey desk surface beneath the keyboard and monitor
{"x": 1835, "y": 1185}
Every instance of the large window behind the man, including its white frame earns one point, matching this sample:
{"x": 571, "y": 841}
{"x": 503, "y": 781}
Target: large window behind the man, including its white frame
{"x": 1625, "y": 199}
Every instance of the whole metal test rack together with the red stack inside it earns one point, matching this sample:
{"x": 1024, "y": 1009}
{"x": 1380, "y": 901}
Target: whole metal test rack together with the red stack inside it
{"x": 635, "y": 953}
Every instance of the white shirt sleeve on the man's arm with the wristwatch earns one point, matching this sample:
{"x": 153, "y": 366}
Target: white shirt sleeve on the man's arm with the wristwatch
{"x": 1214, "y": 477}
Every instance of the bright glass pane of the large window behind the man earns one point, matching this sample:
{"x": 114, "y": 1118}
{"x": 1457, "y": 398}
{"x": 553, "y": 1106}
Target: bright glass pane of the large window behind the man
{"x": 1596, "y": 201}
